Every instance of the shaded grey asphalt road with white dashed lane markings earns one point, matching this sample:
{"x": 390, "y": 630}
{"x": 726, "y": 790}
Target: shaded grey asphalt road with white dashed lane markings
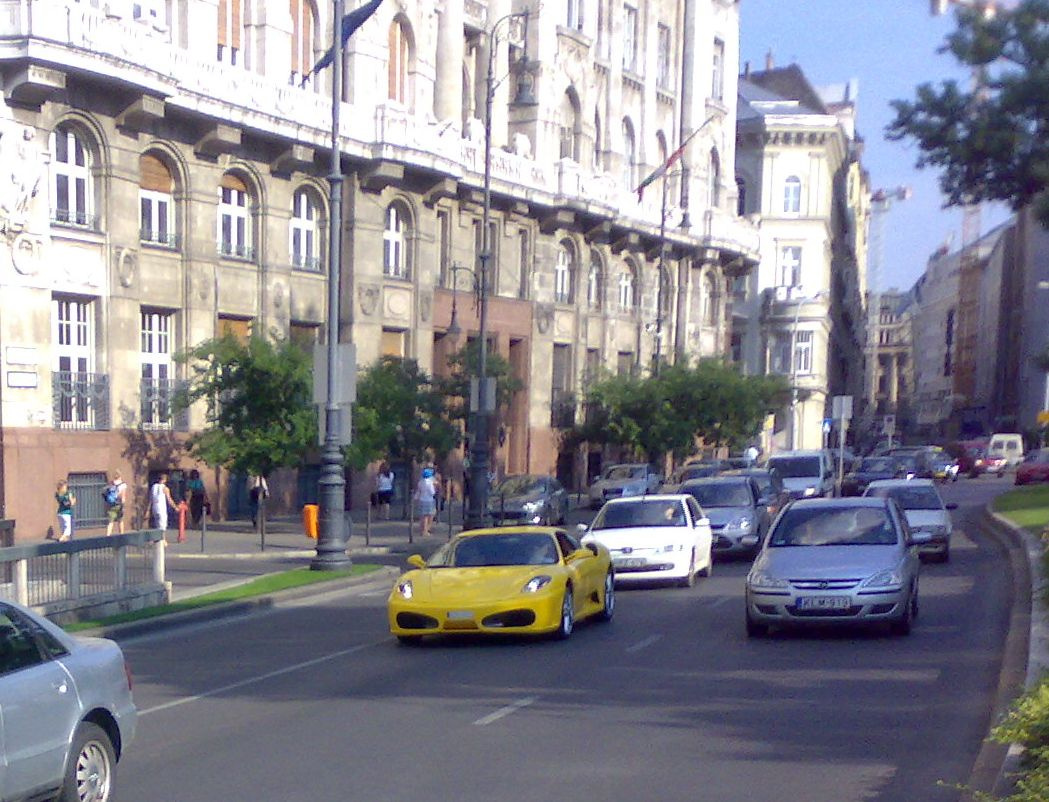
{"x": 670, "y": 702}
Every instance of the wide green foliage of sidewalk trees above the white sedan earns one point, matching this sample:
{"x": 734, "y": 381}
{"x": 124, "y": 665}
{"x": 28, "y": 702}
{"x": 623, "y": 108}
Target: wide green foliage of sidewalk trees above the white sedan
{"x": 655, "y": 415}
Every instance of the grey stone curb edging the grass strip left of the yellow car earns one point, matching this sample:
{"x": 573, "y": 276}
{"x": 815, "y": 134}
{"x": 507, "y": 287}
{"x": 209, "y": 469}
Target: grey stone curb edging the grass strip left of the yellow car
{"x": 242, "y": 608}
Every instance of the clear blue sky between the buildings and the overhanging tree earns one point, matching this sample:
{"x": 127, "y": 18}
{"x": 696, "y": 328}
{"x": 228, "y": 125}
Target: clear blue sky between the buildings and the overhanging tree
{"x": 890, "y": 47}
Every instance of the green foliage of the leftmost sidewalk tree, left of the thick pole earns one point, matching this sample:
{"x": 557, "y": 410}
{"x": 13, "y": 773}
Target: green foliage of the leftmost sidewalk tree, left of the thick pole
{"x": 258, "y": 396}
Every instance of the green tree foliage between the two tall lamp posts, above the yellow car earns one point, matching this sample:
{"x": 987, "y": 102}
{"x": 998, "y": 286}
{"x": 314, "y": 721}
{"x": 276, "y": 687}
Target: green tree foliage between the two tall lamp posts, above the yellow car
{"x": 399, "y": 415}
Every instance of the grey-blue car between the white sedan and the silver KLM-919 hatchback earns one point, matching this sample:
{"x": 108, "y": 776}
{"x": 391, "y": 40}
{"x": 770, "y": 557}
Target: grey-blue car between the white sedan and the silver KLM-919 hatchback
{"x": 739, "y": 518}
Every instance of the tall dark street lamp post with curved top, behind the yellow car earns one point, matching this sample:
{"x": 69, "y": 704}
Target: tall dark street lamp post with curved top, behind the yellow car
{"x": 478, "y": 511}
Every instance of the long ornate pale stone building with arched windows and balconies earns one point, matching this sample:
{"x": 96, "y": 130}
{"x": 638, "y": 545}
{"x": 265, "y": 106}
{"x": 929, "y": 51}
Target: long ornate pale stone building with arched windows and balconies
{"x": 164, "y": 169}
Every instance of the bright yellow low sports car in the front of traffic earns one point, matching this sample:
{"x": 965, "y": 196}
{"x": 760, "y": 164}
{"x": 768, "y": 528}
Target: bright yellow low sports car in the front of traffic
{"x": 513, "y": 579}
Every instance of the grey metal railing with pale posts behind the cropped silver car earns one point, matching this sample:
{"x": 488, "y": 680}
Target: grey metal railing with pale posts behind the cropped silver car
{"x": 82, "y": 571}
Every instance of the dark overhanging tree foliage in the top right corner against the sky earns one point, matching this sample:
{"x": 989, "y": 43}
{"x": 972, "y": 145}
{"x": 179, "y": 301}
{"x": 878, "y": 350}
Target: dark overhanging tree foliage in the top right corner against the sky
{"x": 991, "y": 142}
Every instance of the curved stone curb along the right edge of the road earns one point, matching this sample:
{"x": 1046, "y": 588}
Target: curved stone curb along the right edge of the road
{"x": 1025, "y": 654}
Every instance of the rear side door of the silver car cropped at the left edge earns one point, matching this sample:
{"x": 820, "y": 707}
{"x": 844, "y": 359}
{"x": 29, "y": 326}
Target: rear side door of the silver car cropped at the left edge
{"x": 39, "y": 707}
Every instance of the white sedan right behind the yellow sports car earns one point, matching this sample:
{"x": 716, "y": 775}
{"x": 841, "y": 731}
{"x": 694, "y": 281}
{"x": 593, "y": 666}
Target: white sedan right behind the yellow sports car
{"x": 655, "y": 538}
